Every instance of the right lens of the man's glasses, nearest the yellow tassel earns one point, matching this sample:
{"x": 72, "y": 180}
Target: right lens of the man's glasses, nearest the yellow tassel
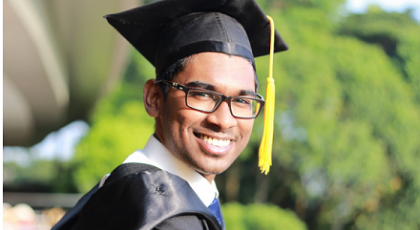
{"x": 245, "y": 107}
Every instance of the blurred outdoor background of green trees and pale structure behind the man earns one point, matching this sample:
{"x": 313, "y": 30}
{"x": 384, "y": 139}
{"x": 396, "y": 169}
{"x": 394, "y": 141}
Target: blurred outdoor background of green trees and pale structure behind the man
{"x": 347, "y": 129}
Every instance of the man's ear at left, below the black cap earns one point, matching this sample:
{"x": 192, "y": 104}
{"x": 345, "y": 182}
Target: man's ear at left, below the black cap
{"x": 153, "y": 98}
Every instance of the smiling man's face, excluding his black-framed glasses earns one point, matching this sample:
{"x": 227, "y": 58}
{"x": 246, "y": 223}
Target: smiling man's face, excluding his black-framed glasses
{"x": 185, "y": 132}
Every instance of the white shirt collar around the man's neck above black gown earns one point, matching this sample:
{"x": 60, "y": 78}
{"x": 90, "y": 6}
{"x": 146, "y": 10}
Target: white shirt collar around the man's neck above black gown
{"x": 154, "y": 153}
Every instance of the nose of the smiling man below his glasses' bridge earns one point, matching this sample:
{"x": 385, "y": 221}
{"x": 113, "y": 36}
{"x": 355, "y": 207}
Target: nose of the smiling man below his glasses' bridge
{"x": 222, "y": 117}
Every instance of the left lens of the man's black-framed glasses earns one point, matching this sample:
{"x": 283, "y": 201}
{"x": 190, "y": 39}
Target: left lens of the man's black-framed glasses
{"x": 202, "y": 100}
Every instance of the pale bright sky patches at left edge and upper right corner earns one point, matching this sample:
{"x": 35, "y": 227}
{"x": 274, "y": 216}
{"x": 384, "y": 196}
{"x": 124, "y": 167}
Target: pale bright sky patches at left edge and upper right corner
{"x": 60, "y": 145}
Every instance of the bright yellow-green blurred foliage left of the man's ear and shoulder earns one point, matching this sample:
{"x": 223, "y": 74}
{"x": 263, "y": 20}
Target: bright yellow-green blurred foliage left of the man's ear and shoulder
{"x": 119, "y": 126}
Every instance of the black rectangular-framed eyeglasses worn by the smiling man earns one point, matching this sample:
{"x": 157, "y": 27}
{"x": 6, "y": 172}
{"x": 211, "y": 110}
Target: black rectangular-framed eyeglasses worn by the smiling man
{"x": 208, "y": 101}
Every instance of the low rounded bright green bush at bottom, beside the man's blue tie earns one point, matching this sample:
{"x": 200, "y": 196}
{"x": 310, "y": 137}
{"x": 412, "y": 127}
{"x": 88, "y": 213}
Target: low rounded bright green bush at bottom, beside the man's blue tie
{"x": 259, "y": 216}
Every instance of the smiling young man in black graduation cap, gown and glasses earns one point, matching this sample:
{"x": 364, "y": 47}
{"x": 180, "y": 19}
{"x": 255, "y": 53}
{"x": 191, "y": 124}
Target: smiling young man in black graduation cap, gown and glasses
{"x": 204, "y": 101}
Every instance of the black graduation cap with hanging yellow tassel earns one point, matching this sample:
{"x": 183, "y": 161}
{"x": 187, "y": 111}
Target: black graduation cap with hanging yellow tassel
{"x": 166, "y": 31}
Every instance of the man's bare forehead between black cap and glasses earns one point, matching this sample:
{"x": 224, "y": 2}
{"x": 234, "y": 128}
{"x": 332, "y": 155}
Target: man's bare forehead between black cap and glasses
{"x": 224, "y": 72}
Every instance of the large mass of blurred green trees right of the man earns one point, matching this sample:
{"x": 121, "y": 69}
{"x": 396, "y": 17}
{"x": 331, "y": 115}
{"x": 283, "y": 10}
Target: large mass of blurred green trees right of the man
{"x": 345, "y": 148}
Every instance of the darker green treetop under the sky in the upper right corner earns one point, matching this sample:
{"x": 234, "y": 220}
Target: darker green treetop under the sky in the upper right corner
{"x": 397, "y": 34}
